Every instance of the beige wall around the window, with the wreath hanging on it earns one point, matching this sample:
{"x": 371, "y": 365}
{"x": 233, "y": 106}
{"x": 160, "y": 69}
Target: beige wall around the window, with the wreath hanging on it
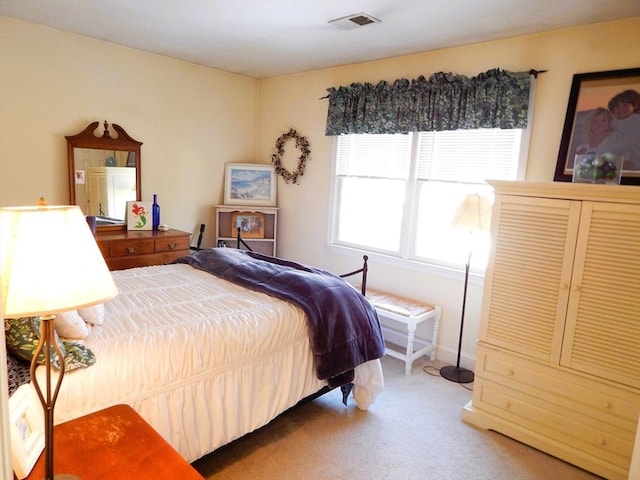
{"x": 294, "y": 101}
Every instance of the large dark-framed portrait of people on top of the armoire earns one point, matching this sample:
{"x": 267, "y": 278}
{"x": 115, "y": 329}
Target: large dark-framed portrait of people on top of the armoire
{"x": 603, "y": 117}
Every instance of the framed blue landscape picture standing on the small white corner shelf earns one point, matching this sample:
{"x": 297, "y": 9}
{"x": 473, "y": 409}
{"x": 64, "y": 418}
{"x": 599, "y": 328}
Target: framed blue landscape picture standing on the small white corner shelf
{"x": 249, "y": 184}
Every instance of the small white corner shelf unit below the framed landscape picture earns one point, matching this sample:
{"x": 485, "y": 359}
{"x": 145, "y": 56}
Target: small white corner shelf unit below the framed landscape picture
{"x": 226, "y": 232}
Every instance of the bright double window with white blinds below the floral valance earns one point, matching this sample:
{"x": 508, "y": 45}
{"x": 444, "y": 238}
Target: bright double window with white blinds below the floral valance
{"x": 402, "y": 195}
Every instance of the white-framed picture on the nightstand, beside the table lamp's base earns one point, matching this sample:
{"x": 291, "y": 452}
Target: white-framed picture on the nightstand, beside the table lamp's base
{"x": 27, "y": 431}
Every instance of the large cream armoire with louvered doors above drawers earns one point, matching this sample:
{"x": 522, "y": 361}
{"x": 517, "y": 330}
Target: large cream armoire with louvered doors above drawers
{"x": 558, "y": 358}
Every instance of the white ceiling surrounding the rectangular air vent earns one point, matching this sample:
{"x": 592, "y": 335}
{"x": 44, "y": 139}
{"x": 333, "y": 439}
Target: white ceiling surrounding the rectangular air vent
{"x": 266, "y": 38}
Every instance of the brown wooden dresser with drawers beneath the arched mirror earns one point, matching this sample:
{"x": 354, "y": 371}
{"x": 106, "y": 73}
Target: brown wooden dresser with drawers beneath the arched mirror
{"x": 132, "y": 248}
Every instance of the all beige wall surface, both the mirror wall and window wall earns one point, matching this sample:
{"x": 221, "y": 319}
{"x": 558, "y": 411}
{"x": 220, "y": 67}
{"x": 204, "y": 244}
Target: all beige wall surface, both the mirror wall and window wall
{"x": 193, "y": 119}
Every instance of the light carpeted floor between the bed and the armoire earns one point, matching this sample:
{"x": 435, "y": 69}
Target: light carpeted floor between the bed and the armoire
{"x": 413, "y": 431}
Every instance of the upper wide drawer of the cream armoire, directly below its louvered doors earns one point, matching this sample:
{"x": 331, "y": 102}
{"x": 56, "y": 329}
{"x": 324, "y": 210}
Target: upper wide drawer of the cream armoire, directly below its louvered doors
{"x": 612, "y": 404}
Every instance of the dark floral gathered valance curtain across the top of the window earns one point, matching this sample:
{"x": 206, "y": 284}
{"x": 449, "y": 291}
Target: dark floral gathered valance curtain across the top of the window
{"x": 444, "y": 101}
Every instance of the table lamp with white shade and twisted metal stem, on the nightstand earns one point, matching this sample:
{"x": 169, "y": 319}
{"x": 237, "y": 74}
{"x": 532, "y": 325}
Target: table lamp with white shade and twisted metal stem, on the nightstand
{"x": 49, "y": 263}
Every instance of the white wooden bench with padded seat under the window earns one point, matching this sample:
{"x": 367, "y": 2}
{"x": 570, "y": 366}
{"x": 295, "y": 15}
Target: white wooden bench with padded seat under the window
{"x": 410, "y": 313}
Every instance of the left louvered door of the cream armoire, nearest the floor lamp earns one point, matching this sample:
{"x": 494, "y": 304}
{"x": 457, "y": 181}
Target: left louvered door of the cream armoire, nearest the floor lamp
{"x": 527, "y": 287}
